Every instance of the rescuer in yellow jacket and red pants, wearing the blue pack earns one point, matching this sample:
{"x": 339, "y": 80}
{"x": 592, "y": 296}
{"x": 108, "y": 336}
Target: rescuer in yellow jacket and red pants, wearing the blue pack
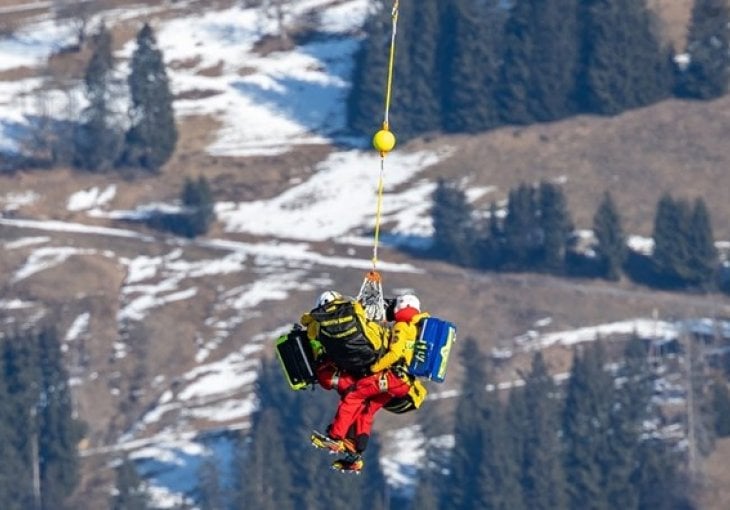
{"x": 389, "y": 379}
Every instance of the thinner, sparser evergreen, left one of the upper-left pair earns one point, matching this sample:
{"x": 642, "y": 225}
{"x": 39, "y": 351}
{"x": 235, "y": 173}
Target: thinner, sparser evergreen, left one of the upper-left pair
{"x": 98, "y": 141}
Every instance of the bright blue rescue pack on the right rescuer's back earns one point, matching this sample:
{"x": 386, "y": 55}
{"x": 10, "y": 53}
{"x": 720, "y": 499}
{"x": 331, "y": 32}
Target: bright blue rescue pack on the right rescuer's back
{"x": 432, "y": 349}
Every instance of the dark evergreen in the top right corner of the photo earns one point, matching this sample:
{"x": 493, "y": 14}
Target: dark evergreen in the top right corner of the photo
{"x": 708, "y": 73}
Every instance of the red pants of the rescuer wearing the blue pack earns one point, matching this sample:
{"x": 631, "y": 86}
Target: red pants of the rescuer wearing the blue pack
{"x": 358, "y": 406}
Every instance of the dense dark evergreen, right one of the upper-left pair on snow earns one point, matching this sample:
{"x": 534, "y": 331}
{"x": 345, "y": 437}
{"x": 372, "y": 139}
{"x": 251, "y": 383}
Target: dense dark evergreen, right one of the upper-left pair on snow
{"x": 152, "y": 137}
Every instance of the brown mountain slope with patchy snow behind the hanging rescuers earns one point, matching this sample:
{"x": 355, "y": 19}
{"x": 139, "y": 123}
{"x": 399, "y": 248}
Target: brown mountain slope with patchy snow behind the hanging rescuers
{"x": 163, "y": 335}
